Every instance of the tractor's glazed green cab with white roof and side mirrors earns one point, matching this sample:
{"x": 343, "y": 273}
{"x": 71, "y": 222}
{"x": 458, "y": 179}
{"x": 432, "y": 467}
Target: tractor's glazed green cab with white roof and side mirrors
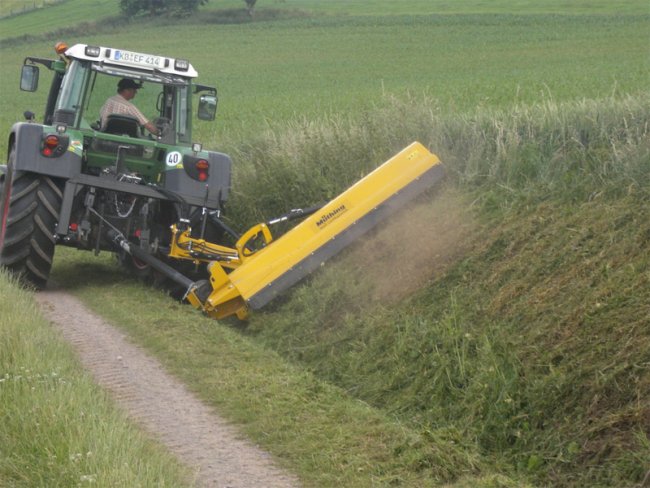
{"x": 87, "y": 76}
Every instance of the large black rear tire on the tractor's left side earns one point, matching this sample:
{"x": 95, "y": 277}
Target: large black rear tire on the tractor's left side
{"x": 29, "y": 211}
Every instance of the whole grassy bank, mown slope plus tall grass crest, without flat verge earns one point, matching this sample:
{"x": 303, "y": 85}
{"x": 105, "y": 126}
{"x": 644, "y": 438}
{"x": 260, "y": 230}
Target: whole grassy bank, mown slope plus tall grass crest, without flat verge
{"x": 534, "y": 344}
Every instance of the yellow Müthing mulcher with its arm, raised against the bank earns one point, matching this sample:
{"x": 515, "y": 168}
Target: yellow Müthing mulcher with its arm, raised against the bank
{"x": 259, "y": 268}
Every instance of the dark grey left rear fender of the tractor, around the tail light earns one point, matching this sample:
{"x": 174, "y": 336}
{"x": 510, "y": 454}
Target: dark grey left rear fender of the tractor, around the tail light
{"x": 27, "y": 140}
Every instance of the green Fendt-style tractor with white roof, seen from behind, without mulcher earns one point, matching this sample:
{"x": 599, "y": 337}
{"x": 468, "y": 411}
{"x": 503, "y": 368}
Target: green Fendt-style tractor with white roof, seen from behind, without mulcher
{"x": 79, "y": 179}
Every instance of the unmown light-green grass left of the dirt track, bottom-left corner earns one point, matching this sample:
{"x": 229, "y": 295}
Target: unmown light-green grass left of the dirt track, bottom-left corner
{"x": 58, "y": 428}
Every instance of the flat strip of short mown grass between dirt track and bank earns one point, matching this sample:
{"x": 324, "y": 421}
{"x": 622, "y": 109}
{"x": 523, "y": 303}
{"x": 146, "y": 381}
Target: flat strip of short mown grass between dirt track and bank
{"x": 326, "y": 436}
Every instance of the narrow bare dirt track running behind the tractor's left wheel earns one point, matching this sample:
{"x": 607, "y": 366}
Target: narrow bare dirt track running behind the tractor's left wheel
{"x": 160, "y": 403}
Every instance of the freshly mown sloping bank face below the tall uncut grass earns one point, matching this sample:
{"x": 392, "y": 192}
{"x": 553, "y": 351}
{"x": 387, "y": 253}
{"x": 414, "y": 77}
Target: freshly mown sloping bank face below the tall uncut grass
{"x": 547, "y": 374}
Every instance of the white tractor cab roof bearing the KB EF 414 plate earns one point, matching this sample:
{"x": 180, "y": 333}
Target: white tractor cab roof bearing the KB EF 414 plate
{"x": 131, "y": 59}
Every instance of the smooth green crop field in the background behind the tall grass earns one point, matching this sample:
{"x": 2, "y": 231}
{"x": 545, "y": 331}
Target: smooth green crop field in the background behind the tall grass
{"x": 530, "y": 58}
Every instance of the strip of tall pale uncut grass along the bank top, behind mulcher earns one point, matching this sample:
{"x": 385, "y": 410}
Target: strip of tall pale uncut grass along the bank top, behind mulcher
{"x": 568, "y": 151}
